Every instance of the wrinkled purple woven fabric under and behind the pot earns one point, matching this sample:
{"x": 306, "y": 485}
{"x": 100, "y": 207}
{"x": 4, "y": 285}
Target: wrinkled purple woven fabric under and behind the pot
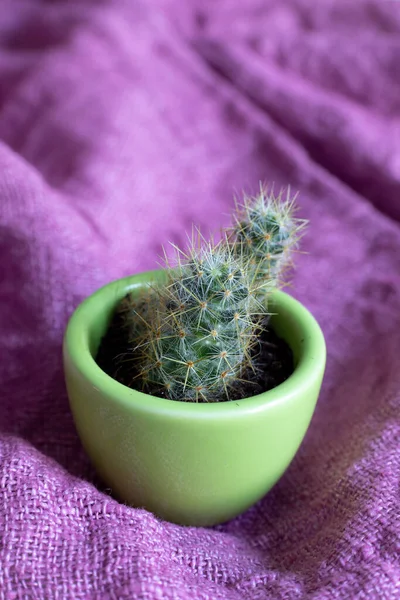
{"x": 121, "y": 123}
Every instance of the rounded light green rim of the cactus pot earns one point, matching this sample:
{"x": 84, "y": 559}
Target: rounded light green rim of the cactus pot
{"x": 310, "y": 365}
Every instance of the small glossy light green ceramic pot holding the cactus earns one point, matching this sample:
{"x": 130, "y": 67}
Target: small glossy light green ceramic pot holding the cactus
{"x": 194, "y": 464}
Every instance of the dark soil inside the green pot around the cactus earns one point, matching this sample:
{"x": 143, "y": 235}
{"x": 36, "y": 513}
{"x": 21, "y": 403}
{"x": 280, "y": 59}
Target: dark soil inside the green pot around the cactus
{"x": 275, "y": 359}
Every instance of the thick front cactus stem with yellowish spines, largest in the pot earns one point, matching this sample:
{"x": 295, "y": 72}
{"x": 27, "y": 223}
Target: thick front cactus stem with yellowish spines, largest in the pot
{"x": 200, "y": 338}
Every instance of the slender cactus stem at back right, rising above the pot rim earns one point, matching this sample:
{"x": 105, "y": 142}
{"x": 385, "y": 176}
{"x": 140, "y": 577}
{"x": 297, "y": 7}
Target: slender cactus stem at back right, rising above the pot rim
{"x": 264, "y": 234}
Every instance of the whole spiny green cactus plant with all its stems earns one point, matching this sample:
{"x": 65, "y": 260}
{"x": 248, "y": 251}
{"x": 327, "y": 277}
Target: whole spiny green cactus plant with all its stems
{"x": 197, "y": 337}
